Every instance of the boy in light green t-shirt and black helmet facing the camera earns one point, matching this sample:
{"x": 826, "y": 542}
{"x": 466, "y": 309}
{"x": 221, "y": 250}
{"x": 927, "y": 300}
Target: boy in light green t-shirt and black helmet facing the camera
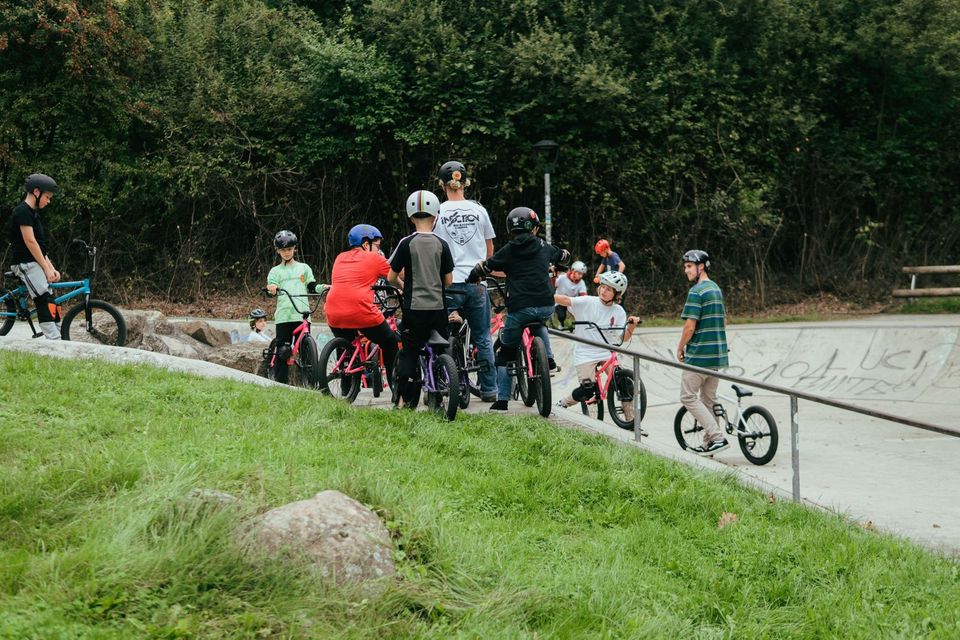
{"x": 297, "y": 279}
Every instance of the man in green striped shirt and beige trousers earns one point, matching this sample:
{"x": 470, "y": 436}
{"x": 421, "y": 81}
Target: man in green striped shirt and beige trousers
{"x": 703, "y": 343}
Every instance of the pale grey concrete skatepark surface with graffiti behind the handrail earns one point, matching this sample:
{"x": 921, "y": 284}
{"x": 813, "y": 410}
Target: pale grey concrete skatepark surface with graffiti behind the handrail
{"x": 882, "y": 474}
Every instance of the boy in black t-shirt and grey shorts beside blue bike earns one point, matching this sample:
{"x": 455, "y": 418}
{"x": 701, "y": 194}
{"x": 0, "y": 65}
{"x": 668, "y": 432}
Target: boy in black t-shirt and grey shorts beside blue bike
{"x": 29, "y": 249}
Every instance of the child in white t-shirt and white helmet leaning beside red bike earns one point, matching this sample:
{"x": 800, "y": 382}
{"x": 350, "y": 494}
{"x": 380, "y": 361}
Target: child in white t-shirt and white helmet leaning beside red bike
{"x": 604, "y": 310}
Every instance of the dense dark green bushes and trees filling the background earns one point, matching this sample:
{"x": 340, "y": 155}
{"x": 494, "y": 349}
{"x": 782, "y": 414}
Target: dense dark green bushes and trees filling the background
{"x": 812, "y": 142}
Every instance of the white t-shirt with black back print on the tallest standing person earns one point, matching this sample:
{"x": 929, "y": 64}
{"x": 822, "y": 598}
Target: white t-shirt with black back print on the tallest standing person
{"x": 466, "y": 227}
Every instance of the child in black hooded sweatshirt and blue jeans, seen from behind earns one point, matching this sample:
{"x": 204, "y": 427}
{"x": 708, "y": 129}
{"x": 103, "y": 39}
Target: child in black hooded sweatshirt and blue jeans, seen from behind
{"x": 526, "y": 261}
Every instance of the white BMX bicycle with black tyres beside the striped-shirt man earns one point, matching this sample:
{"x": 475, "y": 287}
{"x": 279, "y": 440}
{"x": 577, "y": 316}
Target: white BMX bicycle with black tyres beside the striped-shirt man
{"x": 755, "y": 428}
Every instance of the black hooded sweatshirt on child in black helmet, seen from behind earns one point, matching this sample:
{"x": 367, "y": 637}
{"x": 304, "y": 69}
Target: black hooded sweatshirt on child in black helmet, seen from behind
{"x": 526, "y": 260}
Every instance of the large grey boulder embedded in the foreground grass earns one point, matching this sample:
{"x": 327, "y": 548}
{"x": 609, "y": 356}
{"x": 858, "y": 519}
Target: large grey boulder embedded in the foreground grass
{"x": 345, "y": 541}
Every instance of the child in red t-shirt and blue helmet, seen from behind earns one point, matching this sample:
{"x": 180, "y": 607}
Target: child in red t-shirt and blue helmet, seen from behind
{"x": 350, "y": 301}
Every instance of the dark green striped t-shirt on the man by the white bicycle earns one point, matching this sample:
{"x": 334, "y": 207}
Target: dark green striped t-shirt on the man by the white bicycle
{"x": 708, "y": 346}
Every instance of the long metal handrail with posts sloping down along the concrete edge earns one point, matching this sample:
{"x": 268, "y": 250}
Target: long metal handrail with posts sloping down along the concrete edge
{"x": 792, "y": 393}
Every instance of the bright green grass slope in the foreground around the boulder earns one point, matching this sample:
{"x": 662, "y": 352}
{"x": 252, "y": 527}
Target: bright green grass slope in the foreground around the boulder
{"x": 504, "y": 528}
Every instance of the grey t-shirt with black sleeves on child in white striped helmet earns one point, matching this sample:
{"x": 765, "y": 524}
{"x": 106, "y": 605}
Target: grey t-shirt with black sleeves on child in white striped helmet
{"x": 425, "y": 259}
